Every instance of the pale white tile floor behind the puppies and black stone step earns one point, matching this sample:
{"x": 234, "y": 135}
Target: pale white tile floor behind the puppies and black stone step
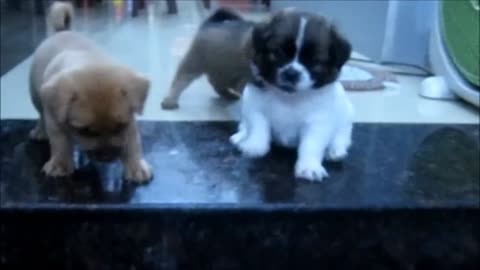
{"x": 154, "y": 42}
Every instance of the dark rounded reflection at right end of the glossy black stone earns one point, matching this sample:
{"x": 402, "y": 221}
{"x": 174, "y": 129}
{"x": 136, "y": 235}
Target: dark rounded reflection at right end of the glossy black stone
{"x": 445, "y": 164}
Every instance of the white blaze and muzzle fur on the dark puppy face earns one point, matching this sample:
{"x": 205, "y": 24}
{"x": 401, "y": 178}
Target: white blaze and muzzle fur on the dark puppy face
{"x": 305, "y": 81}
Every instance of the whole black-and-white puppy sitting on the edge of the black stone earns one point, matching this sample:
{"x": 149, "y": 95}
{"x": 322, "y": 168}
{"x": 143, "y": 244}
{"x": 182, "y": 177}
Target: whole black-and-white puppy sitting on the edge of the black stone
{"x": 294, "y": 98}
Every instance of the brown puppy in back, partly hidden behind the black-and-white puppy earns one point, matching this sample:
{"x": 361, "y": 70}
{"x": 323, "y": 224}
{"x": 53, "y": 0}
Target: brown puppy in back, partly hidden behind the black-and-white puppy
{"x": 220, "y": 51}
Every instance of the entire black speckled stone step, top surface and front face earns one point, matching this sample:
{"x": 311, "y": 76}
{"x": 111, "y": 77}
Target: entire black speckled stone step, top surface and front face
{"x": 407, "y": 197}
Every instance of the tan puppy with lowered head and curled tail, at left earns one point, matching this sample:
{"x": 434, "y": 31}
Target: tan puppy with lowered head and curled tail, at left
{"x": 84, "y": 96}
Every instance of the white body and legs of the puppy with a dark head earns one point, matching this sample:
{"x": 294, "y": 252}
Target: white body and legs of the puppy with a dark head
{"x": 317, "y": 122}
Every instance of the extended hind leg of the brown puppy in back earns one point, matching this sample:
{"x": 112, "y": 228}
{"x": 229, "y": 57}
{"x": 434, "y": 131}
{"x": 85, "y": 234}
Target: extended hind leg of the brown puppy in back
{"x": 186, "y": 73}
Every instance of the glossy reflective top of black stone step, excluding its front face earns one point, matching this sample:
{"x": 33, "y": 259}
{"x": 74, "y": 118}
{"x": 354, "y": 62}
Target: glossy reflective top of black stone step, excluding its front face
{"x": 389, "y": 165}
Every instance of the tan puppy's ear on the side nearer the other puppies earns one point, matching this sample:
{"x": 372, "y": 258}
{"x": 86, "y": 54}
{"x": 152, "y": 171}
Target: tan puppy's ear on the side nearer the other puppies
{"x": 136, "y": 91}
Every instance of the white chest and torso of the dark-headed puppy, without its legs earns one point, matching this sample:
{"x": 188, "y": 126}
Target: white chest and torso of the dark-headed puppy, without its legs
{"x": 292, "y": 116}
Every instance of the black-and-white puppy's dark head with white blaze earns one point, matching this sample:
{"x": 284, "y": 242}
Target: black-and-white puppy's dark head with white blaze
{"x": 298, "y": 51}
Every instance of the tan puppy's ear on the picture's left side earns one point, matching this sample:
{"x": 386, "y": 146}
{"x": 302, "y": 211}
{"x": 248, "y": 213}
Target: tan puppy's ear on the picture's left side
{"x": 57, "y": 94}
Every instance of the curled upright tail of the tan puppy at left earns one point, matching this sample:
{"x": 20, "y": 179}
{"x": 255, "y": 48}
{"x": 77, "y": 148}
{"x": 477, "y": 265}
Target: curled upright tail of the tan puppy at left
{"x": 60, "y": 16}
